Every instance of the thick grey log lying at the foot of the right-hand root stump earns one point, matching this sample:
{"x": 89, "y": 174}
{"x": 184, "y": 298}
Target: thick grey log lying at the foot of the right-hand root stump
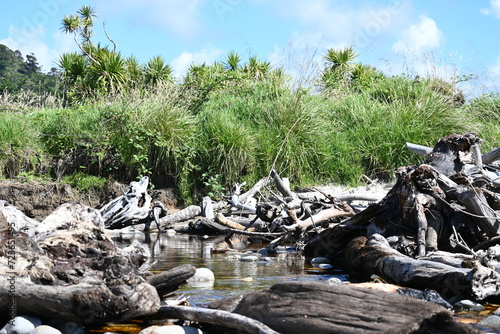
{"x": 376, "y": 256}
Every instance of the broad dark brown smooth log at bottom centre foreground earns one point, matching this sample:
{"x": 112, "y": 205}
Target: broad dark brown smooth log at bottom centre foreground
{"x": 313, "y": 307}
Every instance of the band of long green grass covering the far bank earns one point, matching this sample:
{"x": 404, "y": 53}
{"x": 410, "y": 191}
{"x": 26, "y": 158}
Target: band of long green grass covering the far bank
{"x": 239, "y": 132}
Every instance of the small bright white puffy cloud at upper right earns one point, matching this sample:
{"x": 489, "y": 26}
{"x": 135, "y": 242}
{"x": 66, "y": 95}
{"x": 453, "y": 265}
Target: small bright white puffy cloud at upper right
{"x": 420, "y": 37}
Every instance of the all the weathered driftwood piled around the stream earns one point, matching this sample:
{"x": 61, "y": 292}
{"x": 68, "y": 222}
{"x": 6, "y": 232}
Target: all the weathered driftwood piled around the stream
{"x": 437, "y": 228}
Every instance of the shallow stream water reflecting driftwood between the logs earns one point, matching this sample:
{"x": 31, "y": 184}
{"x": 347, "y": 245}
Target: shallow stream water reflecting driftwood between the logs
{"x": 232, "y": 276}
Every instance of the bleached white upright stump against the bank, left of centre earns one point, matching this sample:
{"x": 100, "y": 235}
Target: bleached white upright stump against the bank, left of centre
{"x": 130, "y": 208}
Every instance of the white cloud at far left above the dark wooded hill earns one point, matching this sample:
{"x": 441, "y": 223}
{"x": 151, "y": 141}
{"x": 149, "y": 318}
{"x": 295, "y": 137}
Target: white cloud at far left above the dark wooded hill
{"x": 31, "y": 41}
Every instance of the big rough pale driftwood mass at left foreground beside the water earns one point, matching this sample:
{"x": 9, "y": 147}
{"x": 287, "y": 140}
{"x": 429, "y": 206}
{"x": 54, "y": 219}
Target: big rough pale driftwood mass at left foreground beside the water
{"x": 71, "y": 270}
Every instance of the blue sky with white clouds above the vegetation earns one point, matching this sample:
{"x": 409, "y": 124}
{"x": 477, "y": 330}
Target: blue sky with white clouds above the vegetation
{"x": 451, "y": 39}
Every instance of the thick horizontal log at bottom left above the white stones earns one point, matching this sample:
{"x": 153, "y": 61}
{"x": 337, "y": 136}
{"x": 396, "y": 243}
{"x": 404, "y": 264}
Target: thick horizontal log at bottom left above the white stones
{"x": 83, "y": 302}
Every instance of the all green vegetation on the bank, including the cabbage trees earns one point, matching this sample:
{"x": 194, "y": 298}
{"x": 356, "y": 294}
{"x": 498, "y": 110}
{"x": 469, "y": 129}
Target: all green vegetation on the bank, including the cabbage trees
{"x": 226, "y": 122}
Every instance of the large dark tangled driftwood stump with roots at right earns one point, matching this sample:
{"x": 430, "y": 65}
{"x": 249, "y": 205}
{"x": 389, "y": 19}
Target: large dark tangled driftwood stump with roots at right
{"x": 449, "y": 203}
